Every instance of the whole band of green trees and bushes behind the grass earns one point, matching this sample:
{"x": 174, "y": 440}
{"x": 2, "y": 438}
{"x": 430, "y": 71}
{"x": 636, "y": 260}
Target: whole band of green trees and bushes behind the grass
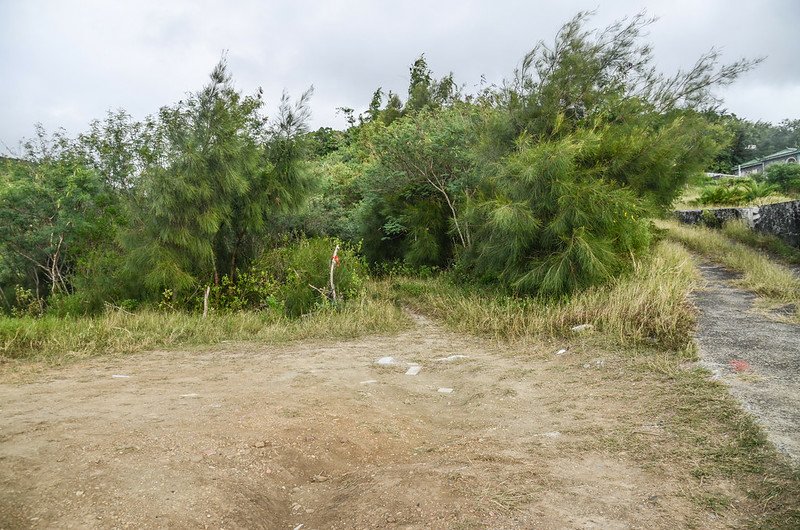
{"x": 541, "y": 186}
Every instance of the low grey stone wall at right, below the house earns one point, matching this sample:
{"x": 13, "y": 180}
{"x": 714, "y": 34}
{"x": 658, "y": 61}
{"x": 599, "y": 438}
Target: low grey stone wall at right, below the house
{"x": 781, "y": 219}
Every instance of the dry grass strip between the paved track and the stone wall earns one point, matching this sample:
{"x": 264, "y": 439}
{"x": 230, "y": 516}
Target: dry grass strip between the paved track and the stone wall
{"x": 759, "y": 273}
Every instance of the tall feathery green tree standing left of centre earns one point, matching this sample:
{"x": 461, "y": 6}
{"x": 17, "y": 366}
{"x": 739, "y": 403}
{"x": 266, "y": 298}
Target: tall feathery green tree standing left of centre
{"x": 201, "y": 212}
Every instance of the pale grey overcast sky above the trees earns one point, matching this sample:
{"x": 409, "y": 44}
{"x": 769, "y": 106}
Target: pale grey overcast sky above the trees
{"x": 63, "y": 63}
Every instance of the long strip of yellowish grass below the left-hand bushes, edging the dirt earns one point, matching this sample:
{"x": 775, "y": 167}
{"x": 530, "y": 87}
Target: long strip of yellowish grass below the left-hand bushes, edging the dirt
{"x": 55, "y": 339}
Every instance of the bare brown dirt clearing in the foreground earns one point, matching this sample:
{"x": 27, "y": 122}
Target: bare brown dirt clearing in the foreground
{"x": 297, "y": 437}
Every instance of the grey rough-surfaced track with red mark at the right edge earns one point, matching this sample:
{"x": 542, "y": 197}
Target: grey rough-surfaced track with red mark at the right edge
{"x": 768, "y": 381}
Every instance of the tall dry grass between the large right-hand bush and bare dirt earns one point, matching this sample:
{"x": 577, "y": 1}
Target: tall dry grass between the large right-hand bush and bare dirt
{"x": 646, "y": 306}
